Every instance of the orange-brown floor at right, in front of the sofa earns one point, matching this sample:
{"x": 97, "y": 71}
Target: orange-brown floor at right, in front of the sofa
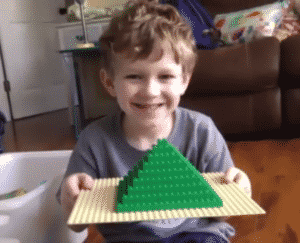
{"x": 273, "y": 167}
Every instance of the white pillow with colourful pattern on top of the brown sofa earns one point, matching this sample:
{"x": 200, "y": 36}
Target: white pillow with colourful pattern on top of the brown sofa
{"x": 246, "y": 25}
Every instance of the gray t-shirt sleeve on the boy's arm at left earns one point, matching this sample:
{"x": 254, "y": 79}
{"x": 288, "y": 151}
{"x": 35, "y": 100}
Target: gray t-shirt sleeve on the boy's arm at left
{"x": 81, "y": 161}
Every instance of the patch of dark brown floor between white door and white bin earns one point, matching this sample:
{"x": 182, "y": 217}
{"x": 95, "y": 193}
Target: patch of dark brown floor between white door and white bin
{"x": 50, "y": 131}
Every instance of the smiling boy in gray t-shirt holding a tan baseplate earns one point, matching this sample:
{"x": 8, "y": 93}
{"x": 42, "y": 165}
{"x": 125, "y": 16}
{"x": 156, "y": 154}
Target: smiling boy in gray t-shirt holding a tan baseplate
{"x": 150, "y": 59}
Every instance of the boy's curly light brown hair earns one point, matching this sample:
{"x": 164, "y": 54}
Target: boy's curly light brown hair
{"x": 135, "y": 29}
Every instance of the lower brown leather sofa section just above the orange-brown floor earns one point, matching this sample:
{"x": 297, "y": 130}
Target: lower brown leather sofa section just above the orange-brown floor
{"x": 240, "y": 114}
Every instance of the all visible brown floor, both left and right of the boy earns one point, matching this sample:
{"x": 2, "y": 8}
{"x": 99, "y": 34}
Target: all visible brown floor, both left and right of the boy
{"x": 272, "y": 166}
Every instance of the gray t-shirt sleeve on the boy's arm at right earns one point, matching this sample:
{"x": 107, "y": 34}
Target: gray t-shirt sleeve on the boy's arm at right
{"x": 217, "y": 154}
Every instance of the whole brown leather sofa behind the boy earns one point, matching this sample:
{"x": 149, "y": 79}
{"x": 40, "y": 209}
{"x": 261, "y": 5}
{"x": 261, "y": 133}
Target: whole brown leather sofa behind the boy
{"x": 251, "y": 90}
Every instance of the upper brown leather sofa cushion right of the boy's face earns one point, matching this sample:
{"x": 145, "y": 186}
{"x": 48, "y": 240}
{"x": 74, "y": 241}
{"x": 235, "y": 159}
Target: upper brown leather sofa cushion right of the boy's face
{"x": 236, "y": 69}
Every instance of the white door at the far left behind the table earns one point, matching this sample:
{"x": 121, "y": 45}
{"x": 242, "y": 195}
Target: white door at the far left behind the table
{"x": 33, "y": 64}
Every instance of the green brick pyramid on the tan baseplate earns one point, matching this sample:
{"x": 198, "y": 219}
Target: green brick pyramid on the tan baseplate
{"x": 164, "y": 180}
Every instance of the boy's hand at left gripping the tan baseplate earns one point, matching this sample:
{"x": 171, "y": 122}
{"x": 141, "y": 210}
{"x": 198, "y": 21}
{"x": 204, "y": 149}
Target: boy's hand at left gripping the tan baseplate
{"x": 71, "y": 187}
